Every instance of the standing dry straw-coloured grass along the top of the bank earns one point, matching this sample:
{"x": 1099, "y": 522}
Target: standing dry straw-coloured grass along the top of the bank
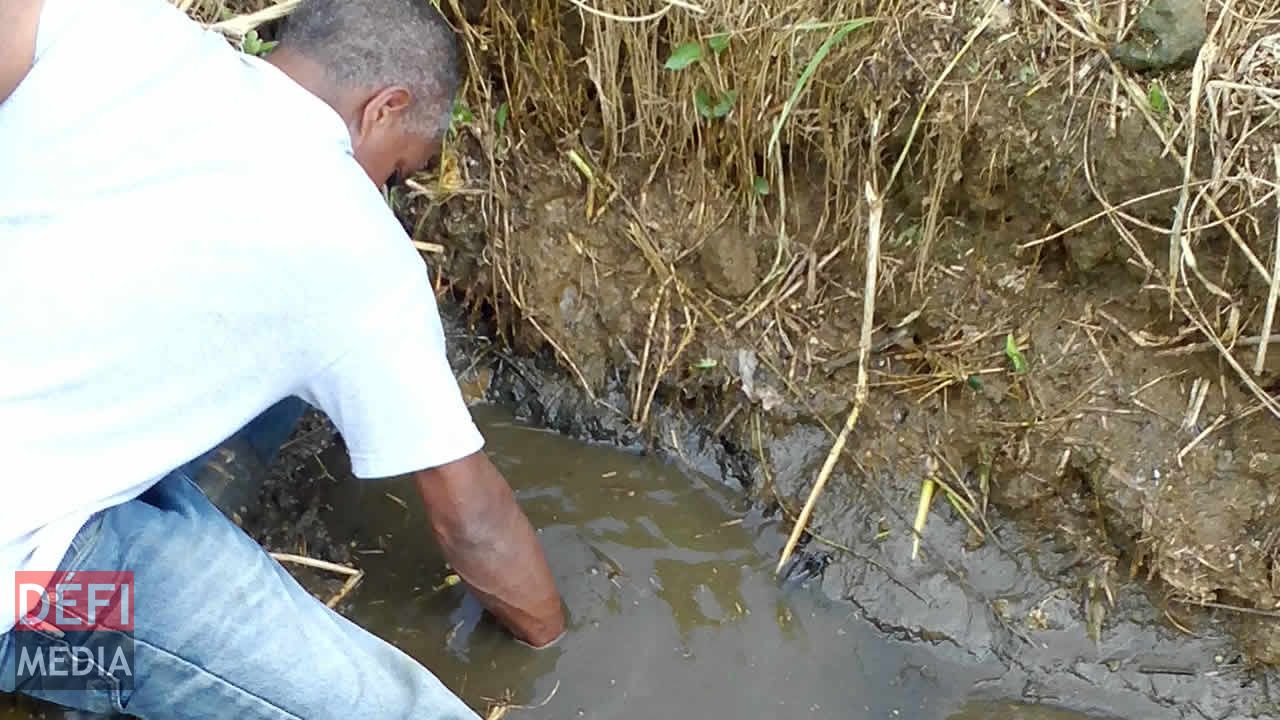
{"x": 589, "y": 79}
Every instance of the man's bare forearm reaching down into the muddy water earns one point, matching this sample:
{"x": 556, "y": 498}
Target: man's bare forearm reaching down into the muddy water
{"x": 492, "y": 546}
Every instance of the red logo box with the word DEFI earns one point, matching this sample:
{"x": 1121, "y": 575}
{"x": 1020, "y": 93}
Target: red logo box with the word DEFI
{"x": 75, "y": 603}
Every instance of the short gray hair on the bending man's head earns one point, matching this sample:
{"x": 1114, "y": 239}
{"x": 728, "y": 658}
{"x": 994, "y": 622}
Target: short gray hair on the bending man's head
{"x": 381, "y": 43}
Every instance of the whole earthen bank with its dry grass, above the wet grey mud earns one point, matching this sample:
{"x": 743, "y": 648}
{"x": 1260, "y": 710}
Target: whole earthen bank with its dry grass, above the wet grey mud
{"x": 1062, "y": 192}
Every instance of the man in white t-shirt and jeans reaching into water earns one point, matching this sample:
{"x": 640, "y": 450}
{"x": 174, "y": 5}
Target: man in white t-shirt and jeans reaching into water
{"x": 190, "y": 238}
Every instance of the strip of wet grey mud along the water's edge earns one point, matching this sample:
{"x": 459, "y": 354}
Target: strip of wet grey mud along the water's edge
{"x": 1027, "y": 600}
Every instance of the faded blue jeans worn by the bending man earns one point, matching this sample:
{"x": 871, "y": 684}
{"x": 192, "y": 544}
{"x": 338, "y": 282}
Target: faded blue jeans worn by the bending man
{"x": 221, "y": 630}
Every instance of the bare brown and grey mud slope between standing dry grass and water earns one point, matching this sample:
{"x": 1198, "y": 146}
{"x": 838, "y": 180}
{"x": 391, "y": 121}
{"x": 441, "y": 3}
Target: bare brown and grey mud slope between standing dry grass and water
{"x": 1123, "y": 472}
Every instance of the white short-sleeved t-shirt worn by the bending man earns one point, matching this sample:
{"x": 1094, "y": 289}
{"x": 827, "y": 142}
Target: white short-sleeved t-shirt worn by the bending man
{"x": 185, "y": 240}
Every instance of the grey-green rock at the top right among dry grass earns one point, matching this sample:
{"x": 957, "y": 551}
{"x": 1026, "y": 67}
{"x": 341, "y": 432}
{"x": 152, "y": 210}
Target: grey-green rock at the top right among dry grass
{"x": 1171, "y": 35}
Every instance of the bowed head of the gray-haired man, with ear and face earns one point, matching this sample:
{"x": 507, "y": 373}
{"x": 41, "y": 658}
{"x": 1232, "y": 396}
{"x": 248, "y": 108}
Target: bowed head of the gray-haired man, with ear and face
{"x": 388, "y": 67}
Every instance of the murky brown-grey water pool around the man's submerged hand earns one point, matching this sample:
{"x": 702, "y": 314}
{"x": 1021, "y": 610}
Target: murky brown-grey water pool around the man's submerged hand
{"x": 674, "y": 610}
